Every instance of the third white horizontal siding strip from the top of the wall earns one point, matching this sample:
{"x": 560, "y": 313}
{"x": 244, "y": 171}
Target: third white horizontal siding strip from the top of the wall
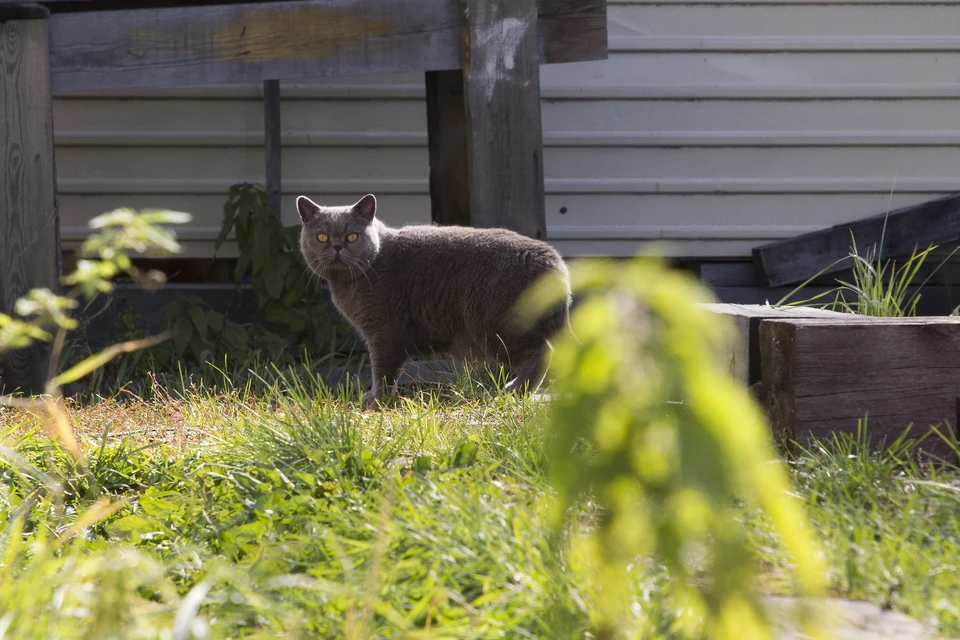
{"x": 566, "y": 122}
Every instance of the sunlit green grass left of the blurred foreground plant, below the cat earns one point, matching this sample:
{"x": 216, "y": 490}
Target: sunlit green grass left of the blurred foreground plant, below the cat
{"x": 293, "y": 513}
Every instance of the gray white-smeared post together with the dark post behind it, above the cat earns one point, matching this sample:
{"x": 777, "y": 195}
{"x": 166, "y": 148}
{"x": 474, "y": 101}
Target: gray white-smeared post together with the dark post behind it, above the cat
{"x": 487, "y": 150}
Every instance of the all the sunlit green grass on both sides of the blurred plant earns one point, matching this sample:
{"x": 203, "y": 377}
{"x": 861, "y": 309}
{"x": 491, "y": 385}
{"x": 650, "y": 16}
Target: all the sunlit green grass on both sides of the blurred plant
{"x": 283, "y": 511}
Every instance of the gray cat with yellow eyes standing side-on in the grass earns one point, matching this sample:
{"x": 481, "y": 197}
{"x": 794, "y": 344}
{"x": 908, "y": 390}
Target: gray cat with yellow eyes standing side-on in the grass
{"x": 421, "y": 290}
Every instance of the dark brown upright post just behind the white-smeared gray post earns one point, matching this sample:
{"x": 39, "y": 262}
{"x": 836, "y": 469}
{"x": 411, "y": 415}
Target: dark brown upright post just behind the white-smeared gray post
{"x": 447, "y": 135}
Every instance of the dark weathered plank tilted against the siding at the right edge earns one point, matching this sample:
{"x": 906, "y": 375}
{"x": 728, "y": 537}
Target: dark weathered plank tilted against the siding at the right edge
{"x": 797, "y": 259}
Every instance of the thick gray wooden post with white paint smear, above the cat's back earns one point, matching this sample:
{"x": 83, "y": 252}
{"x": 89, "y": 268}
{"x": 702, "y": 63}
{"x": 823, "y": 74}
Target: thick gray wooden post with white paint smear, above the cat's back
{"x": 504, "y": 134}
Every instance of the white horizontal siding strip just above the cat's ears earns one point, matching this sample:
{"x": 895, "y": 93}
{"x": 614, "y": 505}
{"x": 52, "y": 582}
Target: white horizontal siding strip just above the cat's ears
{"x": 887, "y": 165}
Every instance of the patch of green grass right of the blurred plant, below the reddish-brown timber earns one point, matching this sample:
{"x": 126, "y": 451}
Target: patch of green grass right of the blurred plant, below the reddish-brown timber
{"x": 888, "y": 523}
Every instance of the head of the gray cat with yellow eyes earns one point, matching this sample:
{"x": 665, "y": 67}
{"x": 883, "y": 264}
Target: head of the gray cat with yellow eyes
{"x": 339, "y": 240}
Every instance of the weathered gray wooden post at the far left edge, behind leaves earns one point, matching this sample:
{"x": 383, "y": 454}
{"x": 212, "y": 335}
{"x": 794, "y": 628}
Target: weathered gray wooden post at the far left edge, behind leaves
{"x": 29, "y": 225}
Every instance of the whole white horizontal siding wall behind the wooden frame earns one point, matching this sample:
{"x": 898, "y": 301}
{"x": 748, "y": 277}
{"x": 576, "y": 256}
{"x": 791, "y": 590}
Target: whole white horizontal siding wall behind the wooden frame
{"x": 712, "y": 126}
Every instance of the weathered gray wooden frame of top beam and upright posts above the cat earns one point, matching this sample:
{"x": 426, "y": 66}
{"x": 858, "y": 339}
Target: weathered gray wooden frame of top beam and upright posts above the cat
{"x": 480, "y": 58}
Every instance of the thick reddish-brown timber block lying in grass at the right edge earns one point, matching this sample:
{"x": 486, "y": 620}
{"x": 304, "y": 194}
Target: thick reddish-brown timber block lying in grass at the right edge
{"x": 822, "y": 376}
